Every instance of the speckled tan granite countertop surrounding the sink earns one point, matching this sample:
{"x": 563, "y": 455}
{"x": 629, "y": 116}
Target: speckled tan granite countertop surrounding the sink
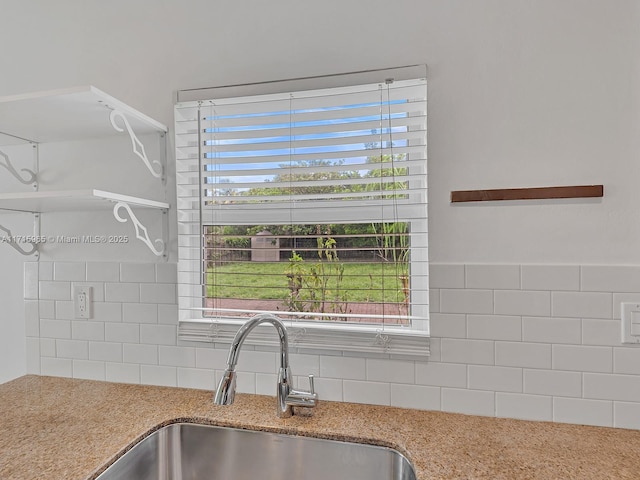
{"x": 71, "y": 429}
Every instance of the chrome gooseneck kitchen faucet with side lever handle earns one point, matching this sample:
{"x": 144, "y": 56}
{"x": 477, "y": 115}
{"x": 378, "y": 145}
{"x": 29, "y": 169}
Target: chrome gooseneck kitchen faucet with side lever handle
{"x": 286, "y": 396}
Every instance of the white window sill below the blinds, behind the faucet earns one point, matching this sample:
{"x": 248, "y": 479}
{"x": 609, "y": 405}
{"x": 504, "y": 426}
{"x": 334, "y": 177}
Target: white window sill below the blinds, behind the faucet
{"x": 319, "y": 338}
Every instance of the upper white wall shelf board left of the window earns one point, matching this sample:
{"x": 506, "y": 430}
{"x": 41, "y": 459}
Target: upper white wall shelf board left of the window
{"x": 69, "y": 114}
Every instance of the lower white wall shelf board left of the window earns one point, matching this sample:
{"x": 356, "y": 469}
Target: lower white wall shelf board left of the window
{"x": 72, "y": 200}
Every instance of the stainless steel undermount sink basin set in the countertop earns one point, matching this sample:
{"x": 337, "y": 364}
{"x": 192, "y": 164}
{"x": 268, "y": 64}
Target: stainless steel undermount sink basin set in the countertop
{"x": 186, "y": 451}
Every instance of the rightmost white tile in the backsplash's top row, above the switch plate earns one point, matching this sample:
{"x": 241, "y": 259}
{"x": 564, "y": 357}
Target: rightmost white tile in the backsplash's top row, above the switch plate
{"x": 604, "y": 278}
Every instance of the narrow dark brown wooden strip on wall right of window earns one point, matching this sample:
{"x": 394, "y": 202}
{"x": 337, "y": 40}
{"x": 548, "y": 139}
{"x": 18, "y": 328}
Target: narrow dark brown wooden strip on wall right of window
{"x": 537, "y": 193}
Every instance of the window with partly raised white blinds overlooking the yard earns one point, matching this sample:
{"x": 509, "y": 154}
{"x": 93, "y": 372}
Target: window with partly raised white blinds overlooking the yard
{"x": 310, "y": 204}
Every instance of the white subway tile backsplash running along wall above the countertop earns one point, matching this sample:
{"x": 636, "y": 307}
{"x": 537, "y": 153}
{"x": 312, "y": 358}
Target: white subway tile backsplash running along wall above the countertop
{"x": 536, "y": 342}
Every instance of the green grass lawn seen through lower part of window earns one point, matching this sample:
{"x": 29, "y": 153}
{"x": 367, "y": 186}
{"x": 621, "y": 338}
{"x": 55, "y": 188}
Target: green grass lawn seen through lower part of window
{"x": 361, "y": 282}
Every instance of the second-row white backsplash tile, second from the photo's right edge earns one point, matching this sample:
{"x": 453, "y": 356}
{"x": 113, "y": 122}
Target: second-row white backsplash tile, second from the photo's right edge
{"x": 582, "y": 305}
